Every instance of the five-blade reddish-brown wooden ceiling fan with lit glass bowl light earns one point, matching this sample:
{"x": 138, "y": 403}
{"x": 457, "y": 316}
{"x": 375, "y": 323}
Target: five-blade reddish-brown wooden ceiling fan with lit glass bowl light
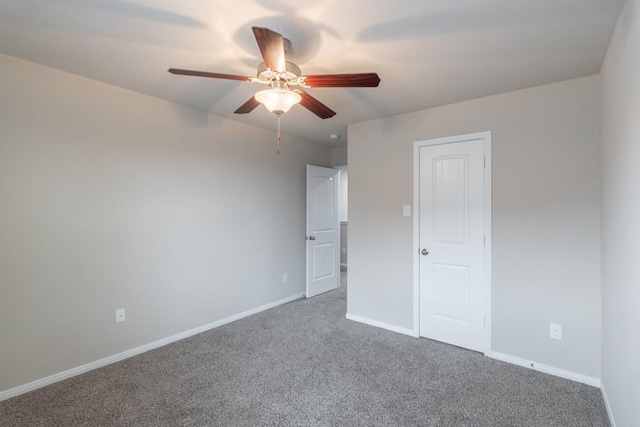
{"x": 285, "y": 80}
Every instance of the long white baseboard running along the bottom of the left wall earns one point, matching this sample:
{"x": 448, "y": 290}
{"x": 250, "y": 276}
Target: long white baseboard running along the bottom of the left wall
{"x": 33, "y": 385}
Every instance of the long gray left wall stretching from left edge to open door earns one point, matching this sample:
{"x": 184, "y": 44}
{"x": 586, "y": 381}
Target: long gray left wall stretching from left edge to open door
{"x": 112, "y": 199}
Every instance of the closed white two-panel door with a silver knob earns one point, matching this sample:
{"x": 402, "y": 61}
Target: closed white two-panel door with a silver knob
{"x": 451, "y": 235}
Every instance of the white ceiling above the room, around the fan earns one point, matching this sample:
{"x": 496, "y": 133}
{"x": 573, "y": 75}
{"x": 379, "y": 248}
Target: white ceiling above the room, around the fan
{"x": 427, "y": 52}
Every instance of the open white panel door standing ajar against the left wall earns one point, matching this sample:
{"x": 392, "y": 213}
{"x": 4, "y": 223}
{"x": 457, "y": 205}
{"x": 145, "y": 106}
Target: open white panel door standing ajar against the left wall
{"x": 323, "y": 230}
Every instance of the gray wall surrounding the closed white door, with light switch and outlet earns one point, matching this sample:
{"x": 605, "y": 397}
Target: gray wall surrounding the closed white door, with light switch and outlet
{"x": 546, "y": 218}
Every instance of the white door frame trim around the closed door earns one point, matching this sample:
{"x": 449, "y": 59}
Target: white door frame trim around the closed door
{"x": 486, "y": 138}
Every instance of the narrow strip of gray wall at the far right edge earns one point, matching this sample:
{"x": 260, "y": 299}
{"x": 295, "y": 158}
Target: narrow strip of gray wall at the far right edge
{"x": 620, "y": 154}
